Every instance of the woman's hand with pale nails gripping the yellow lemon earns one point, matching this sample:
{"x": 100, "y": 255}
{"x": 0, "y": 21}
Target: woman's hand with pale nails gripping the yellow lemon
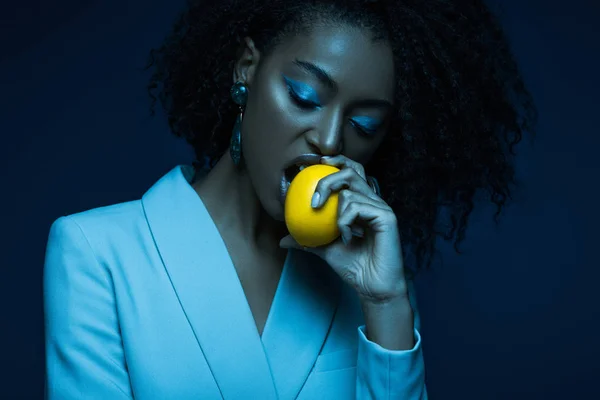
{"x": 368, "y": 255}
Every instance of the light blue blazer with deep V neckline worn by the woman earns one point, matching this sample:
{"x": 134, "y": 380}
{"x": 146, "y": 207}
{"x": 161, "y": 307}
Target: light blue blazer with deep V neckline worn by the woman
{"x": 142, "y": 301}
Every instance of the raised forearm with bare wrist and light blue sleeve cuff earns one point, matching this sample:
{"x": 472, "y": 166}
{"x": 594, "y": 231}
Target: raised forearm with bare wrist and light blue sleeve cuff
{"x": 391, "y": 374}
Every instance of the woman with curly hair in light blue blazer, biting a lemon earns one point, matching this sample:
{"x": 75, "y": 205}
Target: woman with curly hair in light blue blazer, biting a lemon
{"x": 197, "y": 291}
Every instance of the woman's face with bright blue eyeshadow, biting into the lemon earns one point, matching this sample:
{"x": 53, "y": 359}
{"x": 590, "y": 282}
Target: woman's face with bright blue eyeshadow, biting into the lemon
{"x": 327, "y": 93}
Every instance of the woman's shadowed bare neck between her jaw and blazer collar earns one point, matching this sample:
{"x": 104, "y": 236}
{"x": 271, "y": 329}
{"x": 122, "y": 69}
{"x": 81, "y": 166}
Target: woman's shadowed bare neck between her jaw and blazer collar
{"x": 231, "y": 201}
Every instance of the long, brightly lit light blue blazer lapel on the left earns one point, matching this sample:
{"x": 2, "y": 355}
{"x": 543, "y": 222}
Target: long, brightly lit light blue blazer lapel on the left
{"x": 208, "y": 288}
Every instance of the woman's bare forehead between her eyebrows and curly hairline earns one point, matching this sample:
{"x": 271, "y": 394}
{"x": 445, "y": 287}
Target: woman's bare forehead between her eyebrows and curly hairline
{"x": 356, "y": 62}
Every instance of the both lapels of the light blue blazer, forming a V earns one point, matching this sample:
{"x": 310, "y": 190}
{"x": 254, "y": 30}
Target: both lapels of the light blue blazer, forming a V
{"x": 210, "y": 293}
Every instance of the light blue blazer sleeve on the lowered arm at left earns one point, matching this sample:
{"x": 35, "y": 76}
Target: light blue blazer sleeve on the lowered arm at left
{"x": 84, "y": 353}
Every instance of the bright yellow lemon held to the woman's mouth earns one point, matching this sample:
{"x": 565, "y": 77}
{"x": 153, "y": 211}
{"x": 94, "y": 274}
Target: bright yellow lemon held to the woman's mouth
{"x": 311, "y": 227}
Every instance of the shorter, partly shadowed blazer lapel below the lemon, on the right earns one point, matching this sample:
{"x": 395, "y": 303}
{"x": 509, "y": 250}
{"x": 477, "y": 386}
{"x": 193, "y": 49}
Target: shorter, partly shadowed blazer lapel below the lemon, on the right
{"x": 299, "y": 321}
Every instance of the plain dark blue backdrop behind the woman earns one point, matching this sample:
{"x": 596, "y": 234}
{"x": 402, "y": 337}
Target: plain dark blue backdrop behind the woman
{"x": 513, "y": 318}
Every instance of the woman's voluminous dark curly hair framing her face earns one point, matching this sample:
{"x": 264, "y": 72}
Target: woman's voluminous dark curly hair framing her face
{"x": 461, "y": 108}
